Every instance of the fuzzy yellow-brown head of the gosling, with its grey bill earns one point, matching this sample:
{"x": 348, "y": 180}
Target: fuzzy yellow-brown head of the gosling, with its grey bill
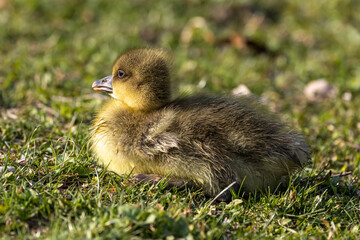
{"x": 140, "y": 79}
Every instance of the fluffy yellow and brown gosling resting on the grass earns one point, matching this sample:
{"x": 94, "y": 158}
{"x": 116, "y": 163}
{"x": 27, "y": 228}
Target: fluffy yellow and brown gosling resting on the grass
{"x": 209, "y": 141}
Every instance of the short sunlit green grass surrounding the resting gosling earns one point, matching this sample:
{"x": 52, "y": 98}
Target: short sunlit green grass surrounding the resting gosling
{"x": 51, "y": 52}
